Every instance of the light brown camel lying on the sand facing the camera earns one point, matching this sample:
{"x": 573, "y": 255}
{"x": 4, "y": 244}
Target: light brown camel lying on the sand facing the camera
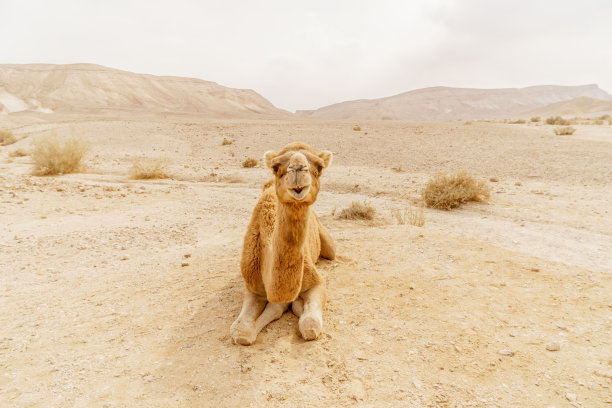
{"x": 283, "y": 241}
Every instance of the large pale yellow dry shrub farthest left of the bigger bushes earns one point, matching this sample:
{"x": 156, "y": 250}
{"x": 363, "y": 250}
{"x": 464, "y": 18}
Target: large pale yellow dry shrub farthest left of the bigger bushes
{"x": 53, "y": 155}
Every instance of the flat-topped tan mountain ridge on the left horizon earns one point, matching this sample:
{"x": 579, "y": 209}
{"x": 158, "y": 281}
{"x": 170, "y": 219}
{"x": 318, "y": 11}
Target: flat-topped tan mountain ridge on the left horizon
{"x": 94, "y": 88}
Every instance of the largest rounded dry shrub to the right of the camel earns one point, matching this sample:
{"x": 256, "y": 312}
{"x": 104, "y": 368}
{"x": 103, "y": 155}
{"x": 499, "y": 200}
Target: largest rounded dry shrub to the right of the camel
{"x": 446, "y": 191}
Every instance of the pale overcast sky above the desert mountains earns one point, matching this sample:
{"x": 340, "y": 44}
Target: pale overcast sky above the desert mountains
{"x": 308, "y": 54}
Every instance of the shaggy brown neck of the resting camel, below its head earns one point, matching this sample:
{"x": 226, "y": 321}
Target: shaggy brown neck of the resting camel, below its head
{"x": 284, "y": 275}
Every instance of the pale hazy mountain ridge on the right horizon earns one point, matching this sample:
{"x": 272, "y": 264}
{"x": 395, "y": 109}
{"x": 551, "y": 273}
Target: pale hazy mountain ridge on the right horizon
{"x": 445, "y": 103}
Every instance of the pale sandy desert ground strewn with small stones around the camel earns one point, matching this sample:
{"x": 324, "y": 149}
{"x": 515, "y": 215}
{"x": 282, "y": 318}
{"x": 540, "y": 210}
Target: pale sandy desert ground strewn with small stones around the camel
{"x": 117, "y": 292}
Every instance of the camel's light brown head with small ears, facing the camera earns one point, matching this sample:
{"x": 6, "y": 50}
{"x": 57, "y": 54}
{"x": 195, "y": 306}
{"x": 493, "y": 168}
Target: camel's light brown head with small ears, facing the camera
{"x": 297, "y": 169}
